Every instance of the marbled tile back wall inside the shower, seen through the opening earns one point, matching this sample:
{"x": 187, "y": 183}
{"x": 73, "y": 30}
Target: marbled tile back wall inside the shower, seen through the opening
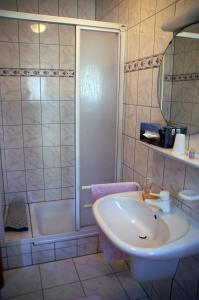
{"x": 38, "y": 112}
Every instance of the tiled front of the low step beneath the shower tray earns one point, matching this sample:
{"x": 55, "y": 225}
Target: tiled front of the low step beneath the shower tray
{"x": 26, "y": 254}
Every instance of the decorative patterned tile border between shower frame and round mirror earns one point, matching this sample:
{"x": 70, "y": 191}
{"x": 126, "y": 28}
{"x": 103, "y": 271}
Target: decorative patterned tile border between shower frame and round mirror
{"x": 149, "y": 62}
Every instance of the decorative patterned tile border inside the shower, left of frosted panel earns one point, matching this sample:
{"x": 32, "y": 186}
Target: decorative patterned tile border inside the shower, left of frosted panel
{"x": 36, "y": 72}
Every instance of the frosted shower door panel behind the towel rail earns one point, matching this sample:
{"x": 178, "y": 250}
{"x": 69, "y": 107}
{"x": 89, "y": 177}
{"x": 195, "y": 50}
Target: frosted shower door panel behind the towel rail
{"x": 98, "y": 103}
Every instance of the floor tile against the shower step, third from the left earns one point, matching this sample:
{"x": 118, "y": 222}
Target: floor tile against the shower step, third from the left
{"x": 92, "y": 266}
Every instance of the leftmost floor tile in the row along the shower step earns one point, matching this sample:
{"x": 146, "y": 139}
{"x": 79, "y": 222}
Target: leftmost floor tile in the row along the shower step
{"x": 21, "y": 281}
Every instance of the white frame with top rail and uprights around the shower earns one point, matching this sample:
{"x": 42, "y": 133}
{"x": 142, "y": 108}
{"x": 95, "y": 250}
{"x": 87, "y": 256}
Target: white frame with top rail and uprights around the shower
{"x": 86, "y": 25}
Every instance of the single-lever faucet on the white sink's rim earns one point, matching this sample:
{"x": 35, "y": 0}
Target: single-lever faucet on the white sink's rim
{"x": 163, "y": 203}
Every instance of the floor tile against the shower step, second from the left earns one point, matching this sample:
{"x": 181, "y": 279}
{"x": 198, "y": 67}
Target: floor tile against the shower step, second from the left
{"x": 58, "y": 273}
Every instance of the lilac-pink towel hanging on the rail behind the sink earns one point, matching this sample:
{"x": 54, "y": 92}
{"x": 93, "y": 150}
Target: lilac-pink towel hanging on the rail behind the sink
{"x": 100, "y": 190}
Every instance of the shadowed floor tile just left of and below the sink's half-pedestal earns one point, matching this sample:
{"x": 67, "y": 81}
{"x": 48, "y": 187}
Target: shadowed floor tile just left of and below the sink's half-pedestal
{"x": 132, "y": 287}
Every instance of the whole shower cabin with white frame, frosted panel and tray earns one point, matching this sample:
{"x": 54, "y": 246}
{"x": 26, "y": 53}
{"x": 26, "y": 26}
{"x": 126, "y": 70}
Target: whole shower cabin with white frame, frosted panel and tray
{"x": 61, "y": 121}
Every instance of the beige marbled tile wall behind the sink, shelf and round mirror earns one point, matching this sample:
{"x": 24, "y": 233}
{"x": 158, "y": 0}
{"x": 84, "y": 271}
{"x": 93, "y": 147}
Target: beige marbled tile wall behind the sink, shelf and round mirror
{"x": 145, "y": 39}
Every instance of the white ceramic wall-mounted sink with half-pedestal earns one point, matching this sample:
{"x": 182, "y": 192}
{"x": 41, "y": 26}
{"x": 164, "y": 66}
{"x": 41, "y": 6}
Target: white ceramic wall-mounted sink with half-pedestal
{"x": 153, "y": 240}
